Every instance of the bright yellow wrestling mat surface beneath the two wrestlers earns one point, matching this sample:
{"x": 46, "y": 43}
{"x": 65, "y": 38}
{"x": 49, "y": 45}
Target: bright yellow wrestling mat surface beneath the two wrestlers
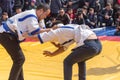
{"x": 105, "y": 66}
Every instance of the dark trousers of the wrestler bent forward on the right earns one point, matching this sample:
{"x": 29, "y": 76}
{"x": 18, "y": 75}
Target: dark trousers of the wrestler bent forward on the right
{"x": 79, "y": 55}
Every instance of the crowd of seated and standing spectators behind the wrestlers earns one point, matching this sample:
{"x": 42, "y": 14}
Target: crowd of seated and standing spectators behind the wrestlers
{"x": 94, "y": 13}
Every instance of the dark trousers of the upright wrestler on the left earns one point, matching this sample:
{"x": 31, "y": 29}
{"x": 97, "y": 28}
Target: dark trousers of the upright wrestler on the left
{"x": 11, "y": 44}
